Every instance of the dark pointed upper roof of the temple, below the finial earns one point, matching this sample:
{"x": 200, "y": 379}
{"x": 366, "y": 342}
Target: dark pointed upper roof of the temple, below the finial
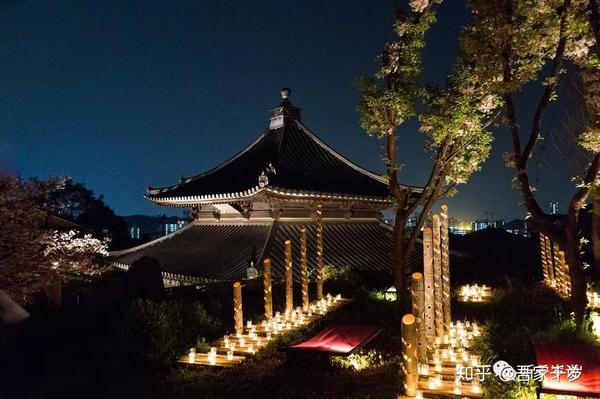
{"x": 292, "y": 159}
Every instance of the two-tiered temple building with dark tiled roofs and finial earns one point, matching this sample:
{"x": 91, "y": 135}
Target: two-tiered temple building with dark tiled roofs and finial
{"x": 244, "y": 209}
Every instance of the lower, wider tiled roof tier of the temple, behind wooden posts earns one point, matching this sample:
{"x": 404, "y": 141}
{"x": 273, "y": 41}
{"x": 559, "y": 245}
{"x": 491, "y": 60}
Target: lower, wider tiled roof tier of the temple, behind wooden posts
{"x": 217, "y": 252}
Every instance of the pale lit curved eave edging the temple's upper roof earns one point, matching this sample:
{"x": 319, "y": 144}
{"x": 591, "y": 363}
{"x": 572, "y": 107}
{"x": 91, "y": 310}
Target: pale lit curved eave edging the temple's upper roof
{"x": 269, "y": 191}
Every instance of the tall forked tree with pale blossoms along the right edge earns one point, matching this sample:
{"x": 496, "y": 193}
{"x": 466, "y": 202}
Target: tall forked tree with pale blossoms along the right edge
{"x": 512, "y": 43}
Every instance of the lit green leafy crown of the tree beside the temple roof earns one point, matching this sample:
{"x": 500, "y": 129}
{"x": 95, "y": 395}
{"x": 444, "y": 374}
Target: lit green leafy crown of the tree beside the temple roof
{"x": 454, "y": 119}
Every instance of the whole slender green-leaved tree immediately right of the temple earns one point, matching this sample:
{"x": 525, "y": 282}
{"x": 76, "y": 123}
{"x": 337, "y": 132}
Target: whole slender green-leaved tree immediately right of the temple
{"x": 454, "y": 120}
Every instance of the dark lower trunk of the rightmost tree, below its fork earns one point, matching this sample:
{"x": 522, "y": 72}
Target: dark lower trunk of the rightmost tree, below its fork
{"x": 576, "y": 273}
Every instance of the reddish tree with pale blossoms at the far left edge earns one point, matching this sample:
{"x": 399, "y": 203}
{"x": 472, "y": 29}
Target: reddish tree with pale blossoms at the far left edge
{"x": 30, "y": 254}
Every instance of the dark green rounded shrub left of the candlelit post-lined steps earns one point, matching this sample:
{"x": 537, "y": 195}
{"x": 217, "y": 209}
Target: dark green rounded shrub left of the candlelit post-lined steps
{"x": 153, "y": 334}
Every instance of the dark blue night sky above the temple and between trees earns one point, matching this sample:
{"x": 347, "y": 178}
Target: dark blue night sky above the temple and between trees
{"x": 125, "y": 94}
